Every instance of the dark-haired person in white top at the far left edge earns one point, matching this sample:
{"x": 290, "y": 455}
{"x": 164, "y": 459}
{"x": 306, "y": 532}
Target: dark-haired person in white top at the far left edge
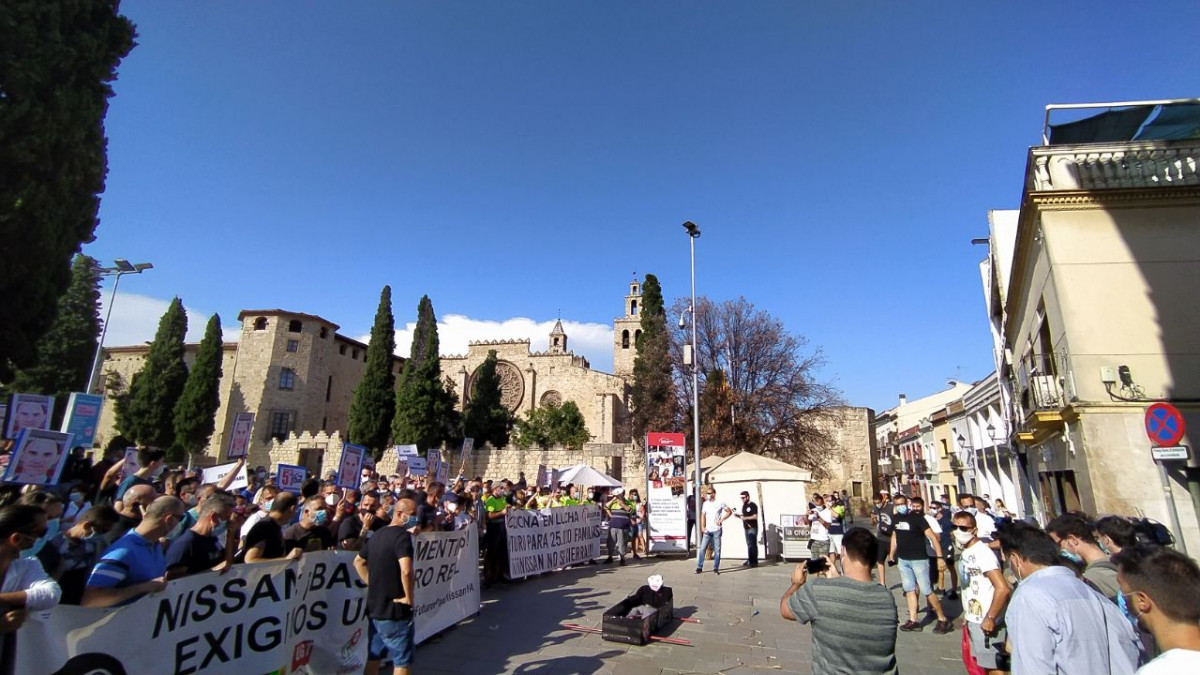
{"x": 25, "y": 586}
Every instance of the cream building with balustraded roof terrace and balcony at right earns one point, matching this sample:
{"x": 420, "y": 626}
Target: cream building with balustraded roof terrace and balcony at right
{"x": 1093, "y": 289}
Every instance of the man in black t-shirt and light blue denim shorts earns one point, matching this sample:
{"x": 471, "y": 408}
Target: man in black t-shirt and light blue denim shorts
{"x": 910, "y": 531}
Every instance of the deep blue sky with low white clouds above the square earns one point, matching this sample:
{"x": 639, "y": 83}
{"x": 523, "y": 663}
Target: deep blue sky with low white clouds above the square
{"x": 518, "y": 160}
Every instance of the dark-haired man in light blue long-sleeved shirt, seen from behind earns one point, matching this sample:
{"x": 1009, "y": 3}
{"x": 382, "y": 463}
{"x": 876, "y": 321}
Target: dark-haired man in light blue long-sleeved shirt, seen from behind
{"x": 1057, "y": 624}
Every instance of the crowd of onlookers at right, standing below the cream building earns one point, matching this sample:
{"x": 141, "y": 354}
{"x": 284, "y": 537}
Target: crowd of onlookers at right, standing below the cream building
{"x": 1076, "y": 596}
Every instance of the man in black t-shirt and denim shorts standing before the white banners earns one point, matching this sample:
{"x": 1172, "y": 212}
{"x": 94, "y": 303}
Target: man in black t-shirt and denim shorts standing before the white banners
{"x": 386, "y": 565}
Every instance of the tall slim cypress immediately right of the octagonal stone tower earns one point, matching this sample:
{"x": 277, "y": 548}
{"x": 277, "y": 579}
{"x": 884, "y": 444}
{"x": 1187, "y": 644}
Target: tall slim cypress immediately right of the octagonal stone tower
{"x": 375, "y": 398}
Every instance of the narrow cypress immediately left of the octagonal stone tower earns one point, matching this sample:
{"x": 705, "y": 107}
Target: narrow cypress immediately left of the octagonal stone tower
{"x": 197, "y": 408}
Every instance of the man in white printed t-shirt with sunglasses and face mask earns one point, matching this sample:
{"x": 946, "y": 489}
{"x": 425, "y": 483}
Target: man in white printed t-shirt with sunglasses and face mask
{"x": 986, "y": 594}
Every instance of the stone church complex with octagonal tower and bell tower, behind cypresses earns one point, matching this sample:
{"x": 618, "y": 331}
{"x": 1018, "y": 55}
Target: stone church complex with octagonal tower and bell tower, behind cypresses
{"x": 297, "y": 374}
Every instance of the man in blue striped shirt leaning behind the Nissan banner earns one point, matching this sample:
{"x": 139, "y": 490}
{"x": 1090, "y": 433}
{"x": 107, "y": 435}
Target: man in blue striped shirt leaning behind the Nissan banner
{"x": 135, "y": 565}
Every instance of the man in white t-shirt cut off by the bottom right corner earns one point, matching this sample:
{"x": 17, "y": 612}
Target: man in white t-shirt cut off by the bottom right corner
{"x": 1162, "y": 590}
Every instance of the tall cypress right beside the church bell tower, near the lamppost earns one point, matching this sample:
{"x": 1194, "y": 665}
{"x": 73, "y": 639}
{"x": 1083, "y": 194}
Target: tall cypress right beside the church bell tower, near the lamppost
{"x": 653, "y": 398}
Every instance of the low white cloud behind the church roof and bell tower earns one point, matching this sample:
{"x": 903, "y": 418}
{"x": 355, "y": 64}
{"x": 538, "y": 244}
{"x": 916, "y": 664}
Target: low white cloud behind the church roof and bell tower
{"x": 590, "y": 341}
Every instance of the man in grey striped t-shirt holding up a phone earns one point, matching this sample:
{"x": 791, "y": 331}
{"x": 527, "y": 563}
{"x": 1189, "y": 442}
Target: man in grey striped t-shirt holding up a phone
{"x": 854, "y": 619}
